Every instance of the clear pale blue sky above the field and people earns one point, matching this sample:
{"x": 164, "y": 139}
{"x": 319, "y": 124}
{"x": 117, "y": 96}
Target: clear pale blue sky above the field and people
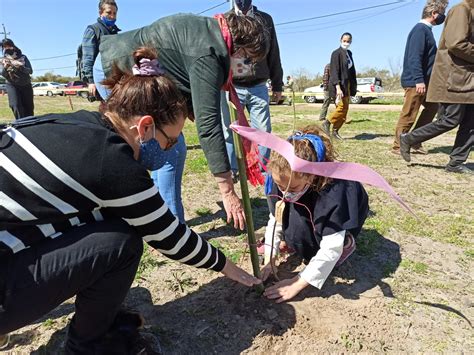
{"x": 46, "y": 28}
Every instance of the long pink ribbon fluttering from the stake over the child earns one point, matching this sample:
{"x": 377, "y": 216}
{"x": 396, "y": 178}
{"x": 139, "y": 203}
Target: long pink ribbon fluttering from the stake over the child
{"x": 337, "y": 170}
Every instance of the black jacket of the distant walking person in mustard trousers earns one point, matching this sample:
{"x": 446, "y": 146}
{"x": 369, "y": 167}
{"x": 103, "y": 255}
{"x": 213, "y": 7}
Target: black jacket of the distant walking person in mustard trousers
{"x": 342, "y": 75}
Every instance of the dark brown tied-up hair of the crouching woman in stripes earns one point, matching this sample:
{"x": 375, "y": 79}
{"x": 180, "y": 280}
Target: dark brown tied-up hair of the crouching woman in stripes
{"x": 137, "y": 95}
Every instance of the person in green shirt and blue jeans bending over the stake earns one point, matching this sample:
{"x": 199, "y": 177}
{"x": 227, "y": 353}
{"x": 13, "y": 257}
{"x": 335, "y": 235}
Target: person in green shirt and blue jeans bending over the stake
{"x": 193, "y": 52}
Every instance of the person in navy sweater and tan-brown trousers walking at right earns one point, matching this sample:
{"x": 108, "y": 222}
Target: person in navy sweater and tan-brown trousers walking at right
{"x": 420, "y": 52}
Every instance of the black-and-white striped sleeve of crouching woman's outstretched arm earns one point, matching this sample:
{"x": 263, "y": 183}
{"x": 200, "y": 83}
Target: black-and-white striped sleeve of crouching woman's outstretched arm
{"x": 136, "y": 200}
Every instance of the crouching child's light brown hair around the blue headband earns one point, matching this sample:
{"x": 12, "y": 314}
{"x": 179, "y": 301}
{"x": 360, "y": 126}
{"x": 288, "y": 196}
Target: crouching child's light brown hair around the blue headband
{"x": 304, "y": 149}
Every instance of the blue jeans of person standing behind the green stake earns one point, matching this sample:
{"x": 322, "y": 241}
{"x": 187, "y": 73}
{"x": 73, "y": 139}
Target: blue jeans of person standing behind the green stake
{"x": 256, "y": 100}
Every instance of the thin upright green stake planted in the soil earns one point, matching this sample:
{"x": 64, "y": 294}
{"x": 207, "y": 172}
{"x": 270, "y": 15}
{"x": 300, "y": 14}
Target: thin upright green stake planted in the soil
{"x": 246, "y": 199}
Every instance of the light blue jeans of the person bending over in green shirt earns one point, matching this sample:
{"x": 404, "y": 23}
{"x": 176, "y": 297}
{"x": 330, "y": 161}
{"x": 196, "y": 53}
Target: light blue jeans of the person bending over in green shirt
{"x": 169, "y": 177}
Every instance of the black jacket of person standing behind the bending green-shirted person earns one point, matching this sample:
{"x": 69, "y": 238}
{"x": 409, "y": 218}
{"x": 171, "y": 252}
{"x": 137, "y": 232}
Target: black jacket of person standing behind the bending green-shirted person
{"x": 270, "y": 67}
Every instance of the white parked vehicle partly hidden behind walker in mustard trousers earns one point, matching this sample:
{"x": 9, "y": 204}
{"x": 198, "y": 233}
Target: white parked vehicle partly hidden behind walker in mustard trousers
{"x": 368, "y": 89}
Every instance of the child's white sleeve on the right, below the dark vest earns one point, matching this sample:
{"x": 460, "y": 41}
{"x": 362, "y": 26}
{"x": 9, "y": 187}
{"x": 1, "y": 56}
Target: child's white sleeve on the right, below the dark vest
{"x": 321, "y": 265}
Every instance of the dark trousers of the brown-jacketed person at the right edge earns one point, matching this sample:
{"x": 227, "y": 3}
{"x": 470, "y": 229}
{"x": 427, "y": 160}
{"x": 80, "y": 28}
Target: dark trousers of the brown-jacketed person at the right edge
{"x": 449, "y": 117}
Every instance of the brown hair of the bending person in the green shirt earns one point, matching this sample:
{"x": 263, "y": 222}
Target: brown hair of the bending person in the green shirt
{"x": 249, "y": 33}
